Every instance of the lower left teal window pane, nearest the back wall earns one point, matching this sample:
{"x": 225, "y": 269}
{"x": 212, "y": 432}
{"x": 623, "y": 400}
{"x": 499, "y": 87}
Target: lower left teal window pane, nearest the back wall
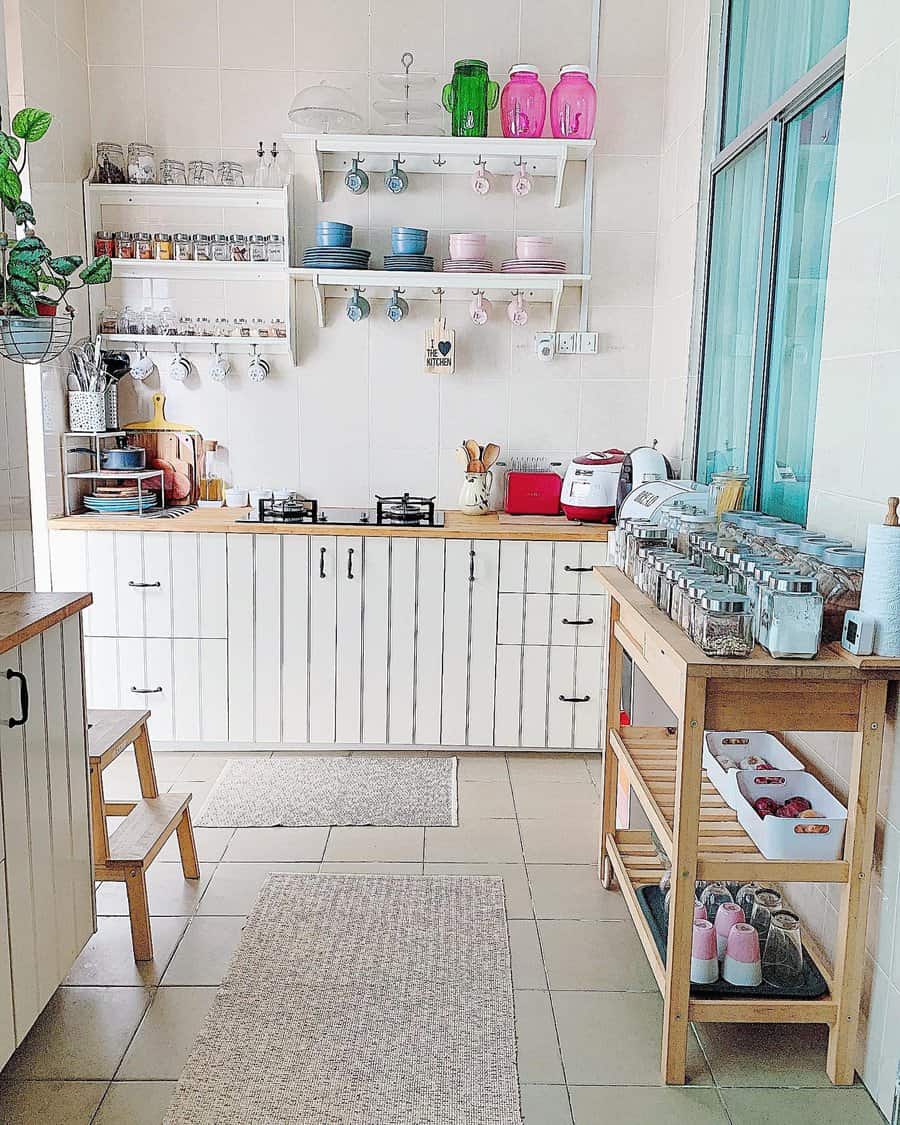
{"x": 728, "y": 349}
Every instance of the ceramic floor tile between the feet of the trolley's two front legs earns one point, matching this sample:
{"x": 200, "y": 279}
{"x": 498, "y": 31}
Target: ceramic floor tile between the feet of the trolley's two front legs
{"x": 763, "y": 1055}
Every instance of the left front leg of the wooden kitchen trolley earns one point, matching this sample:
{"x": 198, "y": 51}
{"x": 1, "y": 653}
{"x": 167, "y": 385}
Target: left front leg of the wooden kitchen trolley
{"x": 687, "y": 827}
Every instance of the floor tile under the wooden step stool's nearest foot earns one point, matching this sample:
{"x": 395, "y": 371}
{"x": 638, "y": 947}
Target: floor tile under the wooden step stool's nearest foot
{"x": 109, "y": 958}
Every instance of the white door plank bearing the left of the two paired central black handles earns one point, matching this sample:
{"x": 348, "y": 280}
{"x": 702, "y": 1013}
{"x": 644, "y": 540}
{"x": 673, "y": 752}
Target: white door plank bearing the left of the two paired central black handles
{"x": 323, "y": 624}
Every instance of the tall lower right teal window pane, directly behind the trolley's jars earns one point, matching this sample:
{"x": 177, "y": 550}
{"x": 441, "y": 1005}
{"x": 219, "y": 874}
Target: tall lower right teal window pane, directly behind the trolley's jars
{"x": 802, "y": 265}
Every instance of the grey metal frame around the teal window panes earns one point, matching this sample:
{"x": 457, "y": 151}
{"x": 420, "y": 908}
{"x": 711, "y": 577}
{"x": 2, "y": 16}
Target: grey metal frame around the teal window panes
{"x": 772, "y": 124}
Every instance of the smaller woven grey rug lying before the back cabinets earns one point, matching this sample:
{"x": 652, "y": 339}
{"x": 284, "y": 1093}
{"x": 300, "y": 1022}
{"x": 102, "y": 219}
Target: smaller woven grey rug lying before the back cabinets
{"x": 310, "y": 793}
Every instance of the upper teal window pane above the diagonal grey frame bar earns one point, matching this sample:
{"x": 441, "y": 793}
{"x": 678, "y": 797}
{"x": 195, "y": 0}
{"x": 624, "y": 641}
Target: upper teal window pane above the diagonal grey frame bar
{"x": 772, "y": 44}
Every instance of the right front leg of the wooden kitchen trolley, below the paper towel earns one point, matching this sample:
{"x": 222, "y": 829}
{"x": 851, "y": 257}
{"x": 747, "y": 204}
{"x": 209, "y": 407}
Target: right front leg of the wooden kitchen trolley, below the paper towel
{"x": 850, "y": 956}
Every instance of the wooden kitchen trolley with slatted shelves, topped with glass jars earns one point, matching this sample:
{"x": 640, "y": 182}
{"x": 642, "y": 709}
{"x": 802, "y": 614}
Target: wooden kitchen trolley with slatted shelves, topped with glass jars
{"x": 700, "y": 833}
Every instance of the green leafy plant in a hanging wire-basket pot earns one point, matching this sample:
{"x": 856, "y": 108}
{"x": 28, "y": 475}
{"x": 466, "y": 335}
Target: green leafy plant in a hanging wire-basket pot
{"x": 35, "y": 283}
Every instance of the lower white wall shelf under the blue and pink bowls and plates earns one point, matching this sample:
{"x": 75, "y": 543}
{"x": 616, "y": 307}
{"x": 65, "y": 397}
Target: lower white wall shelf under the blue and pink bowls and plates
{"x": 535, "y": 287}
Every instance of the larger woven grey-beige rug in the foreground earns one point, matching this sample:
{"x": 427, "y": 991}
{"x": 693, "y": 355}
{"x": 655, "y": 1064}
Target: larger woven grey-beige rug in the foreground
{"x": 362, "y": 1001}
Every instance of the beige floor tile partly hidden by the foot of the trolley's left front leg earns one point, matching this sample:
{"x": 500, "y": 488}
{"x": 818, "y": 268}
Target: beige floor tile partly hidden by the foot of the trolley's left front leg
{"x": 614, "y": 1039}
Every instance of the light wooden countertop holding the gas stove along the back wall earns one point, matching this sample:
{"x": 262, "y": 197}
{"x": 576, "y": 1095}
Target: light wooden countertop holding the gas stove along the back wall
{"x": 223, "y": 520}
